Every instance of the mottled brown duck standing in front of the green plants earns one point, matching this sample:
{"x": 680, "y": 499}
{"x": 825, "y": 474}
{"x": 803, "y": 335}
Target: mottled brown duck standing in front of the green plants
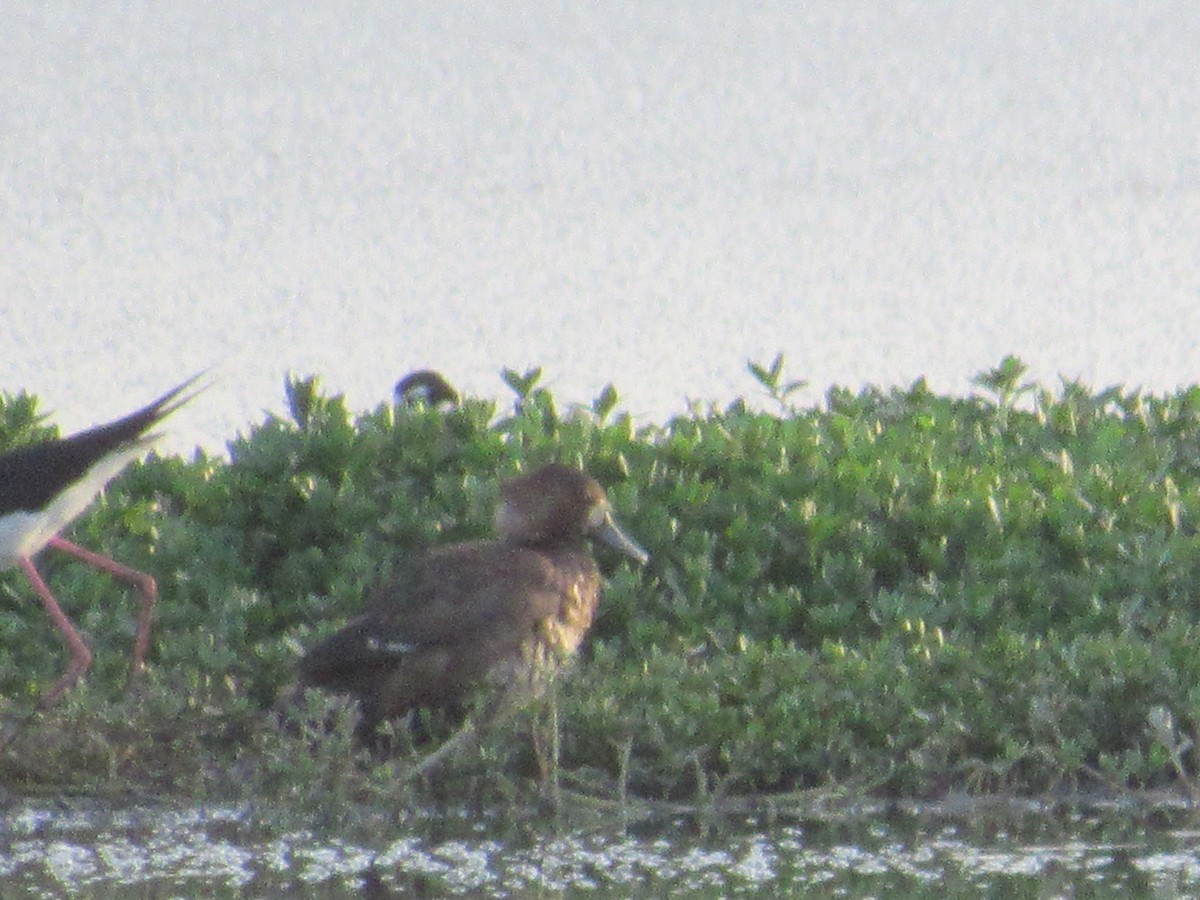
{"x": 489, "y": 613}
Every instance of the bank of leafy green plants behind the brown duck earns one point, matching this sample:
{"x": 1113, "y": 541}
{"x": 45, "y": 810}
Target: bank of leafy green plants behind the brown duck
{"x": 893, "y": 592}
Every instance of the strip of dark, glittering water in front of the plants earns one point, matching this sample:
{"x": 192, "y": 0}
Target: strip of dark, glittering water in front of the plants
{"x": 983, "y": 851}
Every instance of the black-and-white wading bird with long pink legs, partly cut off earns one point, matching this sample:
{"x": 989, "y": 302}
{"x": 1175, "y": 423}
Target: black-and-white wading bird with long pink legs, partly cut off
{"x": 46, "y": 485}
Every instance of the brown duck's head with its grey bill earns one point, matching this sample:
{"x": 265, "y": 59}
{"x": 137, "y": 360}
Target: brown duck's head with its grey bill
{"x": 560, "y": 505}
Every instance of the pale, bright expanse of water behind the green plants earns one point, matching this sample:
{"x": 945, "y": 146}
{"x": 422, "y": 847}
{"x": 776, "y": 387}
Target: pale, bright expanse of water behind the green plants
{"x": 628, "y": 193}
